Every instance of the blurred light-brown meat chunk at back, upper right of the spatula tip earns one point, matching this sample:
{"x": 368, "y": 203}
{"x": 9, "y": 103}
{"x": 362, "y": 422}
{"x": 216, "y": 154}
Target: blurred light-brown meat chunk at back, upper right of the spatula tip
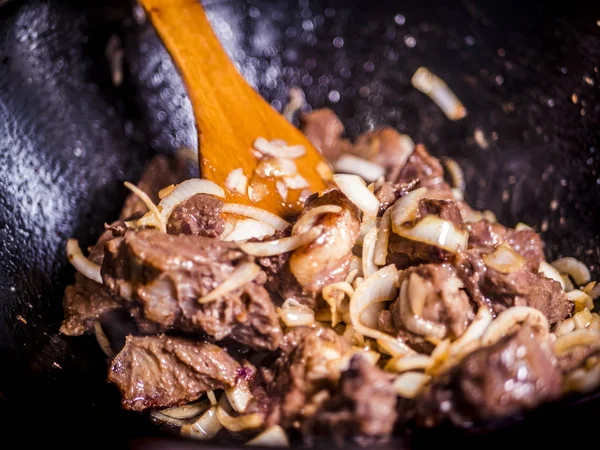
{"x": 386, "y": 147}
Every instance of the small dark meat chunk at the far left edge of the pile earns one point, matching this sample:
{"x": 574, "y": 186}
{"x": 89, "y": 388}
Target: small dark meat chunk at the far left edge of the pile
{"x": 83, "y": 304}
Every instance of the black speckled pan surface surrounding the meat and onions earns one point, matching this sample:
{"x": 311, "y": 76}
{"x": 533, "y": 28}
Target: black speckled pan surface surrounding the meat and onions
{"x": 527, "y": 72}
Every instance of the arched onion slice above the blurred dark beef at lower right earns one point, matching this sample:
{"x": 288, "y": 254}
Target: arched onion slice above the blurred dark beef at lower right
{"x": 506, "y": 320}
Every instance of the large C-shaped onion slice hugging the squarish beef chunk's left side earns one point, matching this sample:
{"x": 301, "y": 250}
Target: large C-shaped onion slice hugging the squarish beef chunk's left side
{"x": 379, "y": 287}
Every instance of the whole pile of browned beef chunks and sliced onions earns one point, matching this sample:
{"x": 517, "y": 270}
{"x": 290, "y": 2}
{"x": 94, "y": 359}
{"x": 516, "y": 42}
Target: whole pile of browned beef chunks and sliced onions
{"x": 388, "y": 302}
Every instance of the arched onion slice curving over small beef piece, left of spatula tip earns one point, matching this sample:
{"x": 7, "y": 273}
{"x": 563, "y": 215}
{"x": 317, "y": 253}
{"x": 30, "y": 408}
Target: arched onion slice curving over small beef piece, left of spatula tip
{"x": 182, "y": 192}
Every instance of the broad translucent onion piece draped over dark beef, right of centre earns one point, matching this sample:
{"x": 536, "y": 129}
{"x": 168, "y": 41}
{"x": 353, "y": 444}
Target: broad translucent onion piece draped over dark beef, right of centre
{"x": 435, "y": 231}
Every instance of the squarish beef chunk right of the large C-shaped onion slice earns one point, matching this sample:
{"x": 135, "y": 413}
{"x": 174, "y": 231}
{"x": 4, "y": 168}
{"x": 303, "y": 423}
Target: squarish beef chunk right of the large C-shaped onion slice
{"x": 443, "y": 297}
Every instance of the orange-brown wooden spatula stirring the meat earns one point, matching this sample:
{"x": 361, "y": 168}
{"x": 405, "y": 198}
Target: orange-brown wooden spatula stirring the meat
{"x": 229, "y": 114}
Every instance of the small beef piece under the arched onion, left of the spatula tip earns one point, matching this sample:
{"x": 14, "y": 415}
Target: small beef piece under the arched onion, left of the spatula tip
{"x": 199, "y": 215}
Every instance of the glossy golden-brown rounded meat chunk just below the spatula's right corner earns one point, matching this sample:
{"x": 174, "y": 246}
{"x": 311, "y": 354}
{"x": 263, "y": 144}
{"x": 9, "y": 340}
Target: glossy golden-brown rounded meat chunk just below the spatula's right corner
{"x": 327, "y": 259}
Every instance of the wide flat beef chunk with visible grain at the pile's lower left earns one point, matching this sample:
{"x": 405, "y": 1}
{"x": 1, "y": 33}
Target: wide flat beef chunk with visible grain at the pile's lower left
{"x": 162, "y": 371}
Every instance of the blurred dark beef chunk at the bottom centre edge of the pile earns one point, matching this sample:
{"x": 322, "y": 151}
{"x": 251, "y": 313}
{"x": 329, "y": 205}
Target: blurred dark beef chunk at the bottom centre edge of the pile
{"x": 362, "y": 407}
